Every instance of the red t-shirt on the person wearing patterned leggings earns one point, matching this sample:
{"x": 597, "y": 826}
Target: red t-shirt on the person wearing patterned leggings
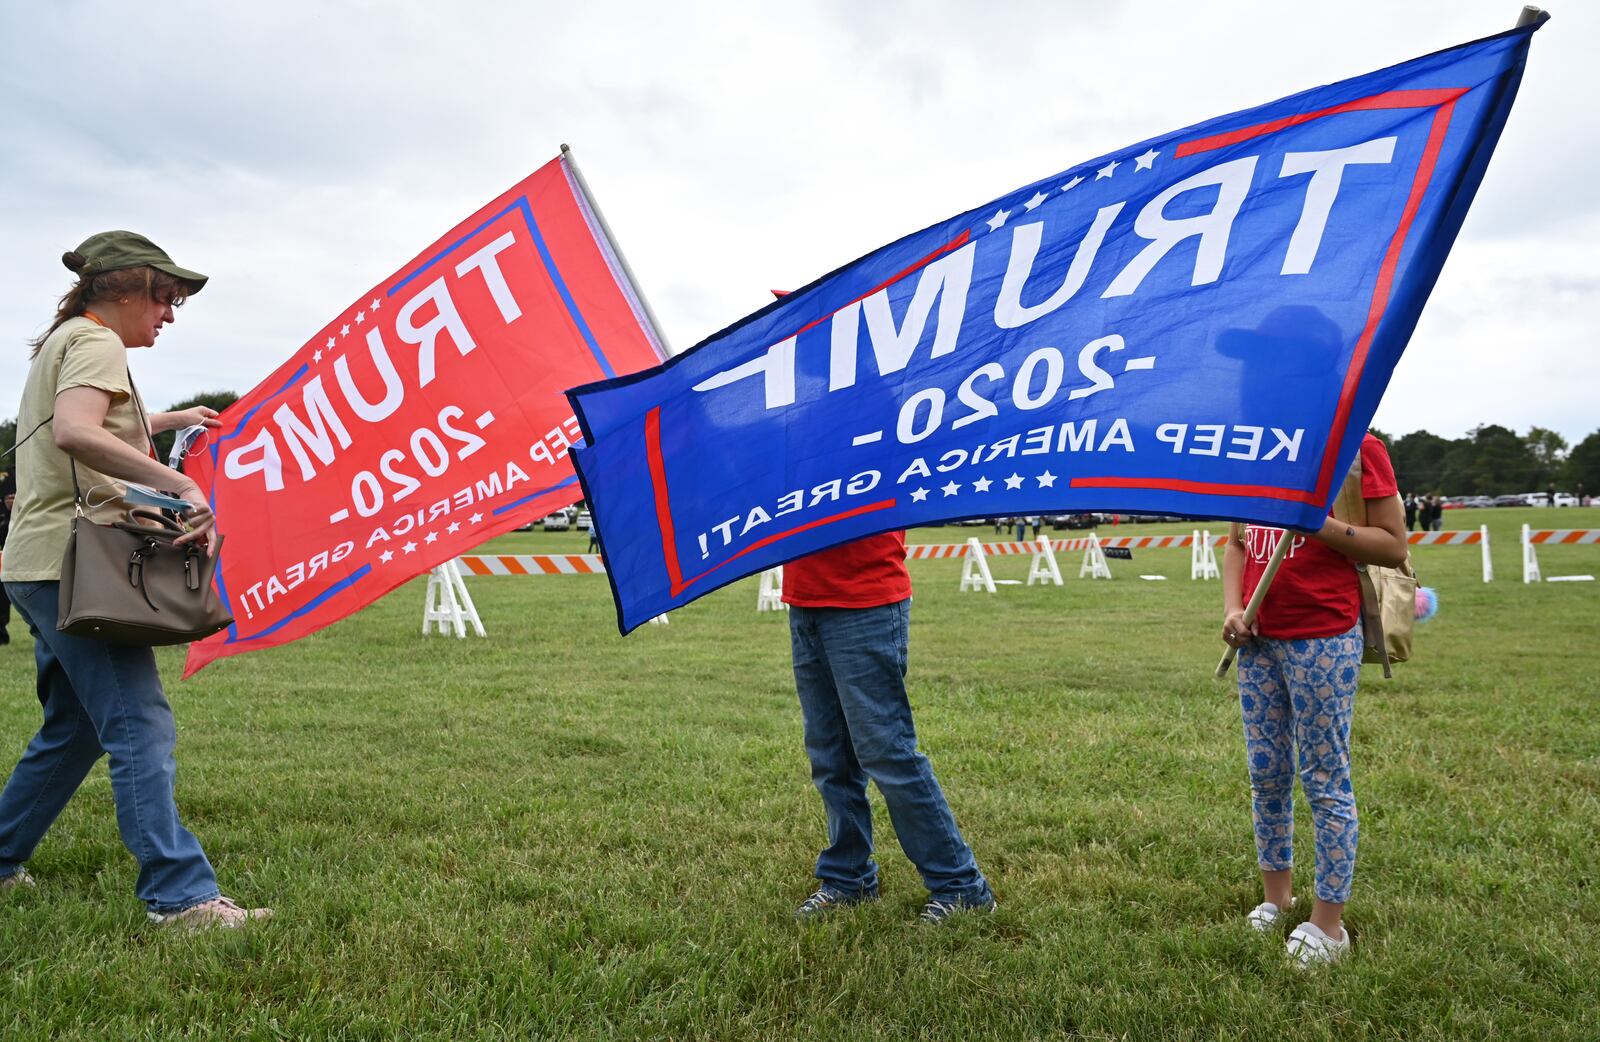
{"x": 1316, "y": 593}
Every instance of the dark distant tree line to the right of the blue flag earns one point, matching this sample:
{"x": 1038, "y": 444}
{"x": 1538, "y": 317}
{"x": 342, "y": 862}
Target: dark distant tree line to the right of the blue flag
{"x": 1494, "y": 460}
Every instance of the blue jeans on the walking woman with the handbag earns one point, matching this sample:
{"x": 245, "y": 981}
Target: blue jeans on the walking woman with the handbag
{"x": 102, "y": 699}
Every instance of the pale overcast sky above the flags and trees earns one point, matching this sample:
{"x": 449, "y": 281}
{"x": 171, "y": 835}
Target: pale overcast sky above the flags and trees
{"x": 302, "y": 151}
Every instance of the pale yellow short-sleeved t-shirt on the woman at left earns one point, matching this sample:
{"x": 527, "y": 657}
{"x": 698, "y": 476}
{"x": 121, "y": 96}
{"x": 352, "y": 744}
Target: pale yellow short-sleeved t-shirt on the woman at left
{"x": 78, "y": 355}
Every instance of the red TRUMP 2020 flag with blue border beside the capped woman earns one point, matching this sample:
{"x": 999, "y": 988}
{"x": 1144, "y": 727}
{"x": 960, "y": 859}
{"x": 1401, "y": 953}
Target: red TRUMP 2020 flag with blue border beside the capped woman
{"x": 423, "y": 420}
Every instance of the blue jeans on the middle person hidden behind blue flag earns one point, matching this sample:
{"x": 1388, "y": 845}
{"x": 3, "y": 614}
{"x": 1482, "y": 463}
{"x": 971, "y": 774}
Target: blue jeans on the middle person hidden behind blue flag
{"x": 850, "y": 671}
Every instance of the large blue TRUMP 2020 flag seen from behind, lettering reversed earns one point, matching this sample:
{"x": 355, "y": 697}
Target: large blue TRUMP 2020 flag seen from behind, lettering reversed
{"x": 1201, "y": 324}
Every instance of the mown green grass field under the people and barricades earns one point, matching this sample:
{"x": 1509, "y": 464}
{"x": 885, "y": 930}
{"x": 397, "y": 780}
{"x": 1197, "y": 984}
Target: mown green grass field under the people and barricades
{"x": 562, "y": 833}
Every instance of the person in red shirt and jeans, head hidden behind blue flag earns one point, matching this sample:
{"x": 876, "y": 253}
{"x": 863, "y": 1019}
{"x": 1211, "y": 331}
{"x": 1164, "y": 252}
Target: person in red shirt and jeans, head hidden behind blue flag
{"x": 849, "y": 614}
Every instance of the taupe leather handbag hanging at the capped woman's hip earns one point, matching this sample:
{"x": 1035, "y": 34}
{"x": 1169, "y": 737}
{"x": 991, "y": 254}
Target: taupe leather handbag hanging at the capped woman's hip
{"x": 129, "y": 583}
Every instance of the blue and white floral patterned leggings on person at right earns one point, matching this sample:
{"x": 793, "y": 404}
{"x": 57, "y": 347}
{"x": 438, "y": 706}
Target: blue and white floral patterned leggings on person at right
{"x": 1297, "y": 697}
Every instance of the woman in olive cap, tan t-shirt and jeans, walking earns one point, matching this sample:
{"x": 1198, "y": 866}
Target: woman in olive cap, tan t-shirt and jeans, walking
{"x": 102, "y": 699}
